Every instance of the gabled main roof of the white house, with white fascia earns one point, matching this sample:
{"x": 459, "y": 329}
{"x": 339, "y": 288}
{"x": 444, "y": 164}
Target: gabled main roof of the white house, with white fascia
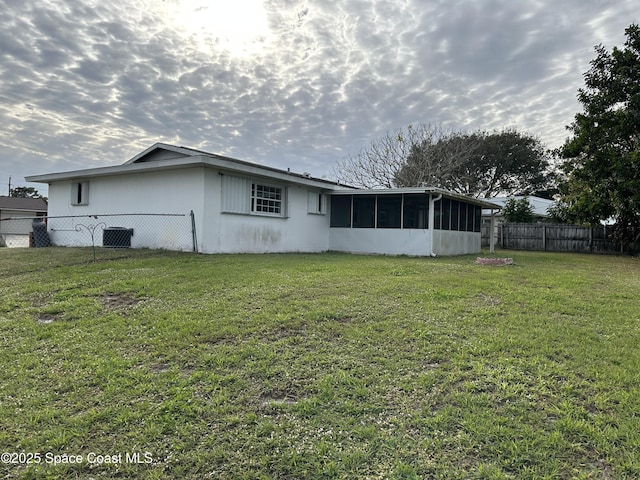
{"x": 162, "y": 156}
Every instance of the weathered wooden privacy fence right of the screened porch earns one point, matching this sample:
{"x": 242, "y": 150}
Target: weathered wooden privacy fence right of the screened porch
{"x": 556, "y": 238}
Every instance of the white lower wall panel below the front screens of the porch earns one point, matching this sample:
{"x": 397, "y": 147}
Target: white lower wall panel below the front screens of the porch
{"x": 385, "y": 241}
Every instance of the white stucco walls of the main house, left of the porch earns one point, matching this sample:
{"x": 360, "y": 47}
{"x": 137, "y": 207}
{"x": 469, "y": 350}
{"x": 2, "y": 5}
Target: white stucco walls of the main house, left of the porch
{"x": 180, "y": 191}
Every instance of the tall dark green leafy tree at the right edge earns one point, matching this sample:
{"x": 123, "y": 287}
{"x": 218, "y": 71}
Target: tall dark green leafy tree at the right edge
{"x": 603, "y": 166}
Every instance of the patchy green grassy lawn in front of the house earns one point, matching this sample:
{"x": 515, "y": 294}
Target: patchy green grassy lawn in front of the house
{"x": 318, "y": 366}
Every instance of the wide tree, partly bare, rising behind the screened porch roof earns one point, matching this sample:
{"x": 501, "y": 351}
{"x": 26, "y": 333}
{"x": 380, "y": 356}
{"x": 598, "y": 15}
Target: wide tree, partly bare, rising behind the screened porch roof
{"x": 479, "y": 163}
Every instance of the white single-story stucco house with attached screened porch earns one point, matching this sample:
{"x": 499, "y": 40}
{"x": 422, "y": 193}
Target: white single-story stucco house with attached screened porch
{"x": 240, "y": 206}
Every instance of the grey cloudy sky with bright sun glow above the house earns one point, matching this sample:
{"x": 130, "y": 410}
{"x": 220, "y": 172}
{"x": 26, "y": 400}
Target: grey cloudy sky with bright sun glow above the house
{"x": 293, "y": 84}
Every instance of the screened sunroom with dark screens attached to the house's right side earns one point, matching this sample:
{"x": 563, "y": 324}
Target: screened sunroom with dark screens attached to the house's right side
{"x": 424, "y": 221}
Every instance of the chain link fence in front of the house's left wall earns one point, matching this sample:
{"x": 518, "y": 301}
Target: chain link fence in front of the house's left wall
{"x": 114, "y": 231}
